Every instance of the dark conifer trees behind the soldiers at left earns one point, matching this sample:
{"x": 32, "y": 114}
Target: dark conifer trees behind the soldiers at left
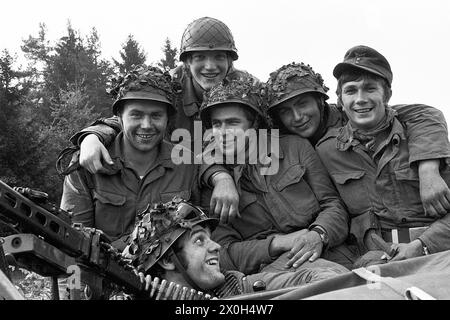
{"x": 60, "y": 90}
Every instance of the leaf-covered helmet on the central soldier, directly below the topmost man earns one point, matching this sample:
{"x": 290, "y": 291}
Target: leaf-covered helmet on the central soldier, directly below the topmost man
{"x": 244, "y": 91}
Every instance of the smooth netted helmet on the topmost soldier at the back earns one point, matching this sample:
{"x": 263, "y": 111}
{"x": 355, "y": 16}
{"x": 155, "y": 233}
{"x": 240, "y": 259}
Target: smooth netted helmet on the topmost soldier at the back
{"x": 206, "y": 34}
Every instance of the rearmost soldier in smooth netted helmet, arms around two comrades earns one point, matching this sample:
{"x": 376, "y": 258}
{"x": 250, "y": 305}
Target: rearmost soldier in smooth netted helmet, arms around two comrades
{"x": 207, "y": 51}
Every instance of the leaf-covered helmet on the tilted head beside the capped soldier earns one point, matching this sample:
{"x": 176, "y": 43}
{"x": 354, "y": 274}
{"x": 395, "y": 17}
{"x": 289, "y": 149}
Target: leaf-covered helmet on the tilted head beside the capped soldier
{"x": 292, "y": 80}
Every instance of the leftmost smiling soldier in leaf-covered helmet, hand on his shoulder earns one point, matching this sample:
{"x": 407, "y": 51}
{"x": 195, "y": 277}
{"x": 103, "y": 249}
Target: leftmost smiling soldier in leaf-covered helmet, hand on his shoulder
{"x": 142, "y": 170}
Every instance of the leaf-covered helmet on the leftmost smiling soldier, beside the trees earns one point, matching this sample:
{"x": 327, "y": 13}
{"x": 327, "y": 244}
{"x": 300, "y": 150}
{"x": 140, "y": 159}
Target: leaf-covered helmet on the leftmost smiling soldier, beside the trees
{"x": 144, "y": 83}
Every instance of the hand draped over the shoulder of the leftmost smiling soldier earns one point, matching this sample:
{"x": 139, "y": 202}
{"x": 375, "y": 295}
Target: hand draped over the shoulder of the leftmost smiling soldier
{"x": 92, "y": 152}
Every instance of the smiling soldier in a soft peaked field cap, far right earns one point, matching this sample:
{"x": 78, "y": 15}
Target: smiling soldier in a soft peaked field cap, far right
{"x": 369, "y": 159}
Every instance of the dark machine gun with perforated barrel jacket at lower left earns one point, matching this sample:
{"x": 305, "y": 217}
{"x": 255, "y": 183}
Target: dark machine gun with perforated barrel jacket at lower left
{"x": 51, "y": 245}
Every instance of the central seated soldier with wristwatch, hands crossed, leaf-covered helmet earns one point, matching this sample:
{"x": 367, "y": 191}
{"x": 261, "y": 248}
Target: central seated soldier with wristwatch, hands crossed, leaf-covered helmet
{"x": 288, "y": 217}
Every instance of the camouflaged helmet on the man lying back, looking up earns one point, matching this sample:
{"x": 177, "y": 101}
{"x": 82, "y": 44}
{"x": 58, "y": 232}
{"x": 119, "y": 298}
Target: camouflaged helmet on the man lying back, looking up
{"x": 159, "y": 226}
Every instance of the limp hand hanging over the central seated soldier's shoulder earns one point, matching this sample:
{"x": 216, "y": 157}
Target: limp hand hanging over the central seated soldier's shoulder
{"x": 225, "y": 198}
